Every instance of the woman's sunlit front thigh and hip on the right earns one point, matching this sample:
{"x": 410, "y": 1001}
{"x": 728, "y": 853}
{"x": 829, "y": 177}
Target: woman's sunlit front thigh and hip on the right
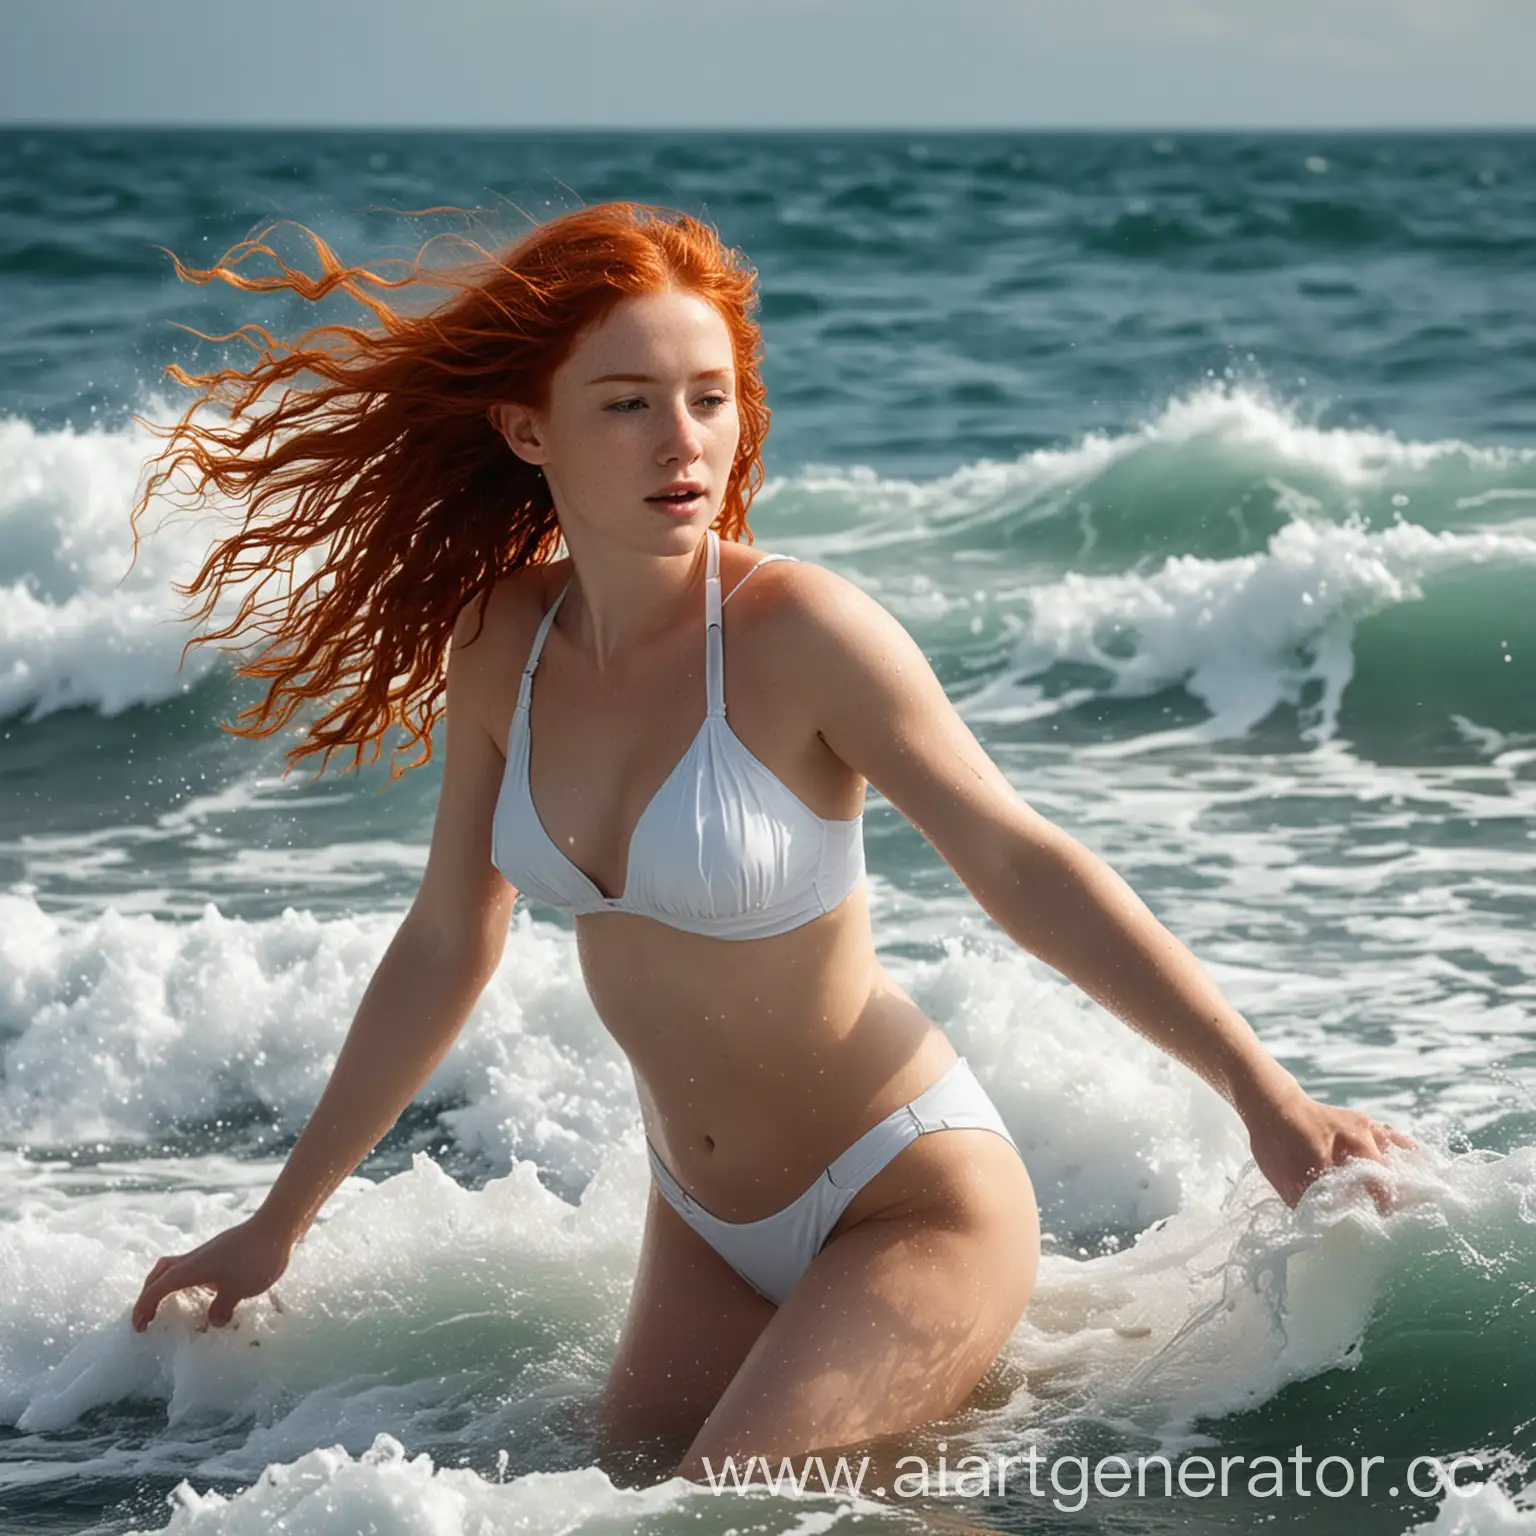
{"x": 899, "y": 1317}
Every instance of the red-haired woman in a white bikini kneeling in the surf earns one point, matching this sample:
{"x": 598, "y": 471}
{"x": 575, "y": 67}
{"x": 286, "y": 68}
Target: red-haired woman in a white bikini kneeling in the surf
{"x": 674, "y": 740}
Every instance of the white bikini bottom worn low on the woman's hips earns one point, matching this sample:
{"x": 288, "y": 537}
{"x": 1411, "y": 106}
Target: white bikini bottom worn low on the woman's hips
{"x": 776, "y": 1251}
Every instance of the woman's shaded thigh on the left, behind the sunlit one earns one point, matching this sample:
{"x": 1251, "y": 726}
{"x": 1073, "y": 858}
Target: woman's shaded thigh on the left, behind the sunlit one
{"x": 690, "y": 1325}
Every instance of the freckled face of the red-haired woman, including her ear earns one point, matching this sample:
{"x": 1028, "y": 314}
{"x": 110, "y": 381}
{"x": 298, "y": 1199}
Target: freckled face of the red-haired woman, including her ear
{"x": 644, "y": 400}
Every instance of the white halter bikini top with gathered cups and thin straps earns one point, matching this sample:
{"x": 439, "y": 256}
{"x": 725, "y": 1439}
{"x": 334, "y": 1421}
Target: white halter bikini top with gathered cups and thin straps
{"x": 723, "y": 849}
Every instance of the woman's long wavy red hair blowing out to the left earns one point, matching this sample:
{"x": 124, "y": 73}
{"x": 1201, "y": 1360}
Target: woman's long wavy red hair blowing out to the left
{"x": 371, "y": 452}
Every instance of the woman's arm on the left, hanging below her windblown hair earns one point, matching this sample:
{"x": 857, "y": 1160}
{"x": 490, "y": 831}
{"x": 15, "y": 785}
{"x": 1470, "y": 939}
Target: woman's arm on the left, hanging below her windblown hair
{"x": 422, "y": 993}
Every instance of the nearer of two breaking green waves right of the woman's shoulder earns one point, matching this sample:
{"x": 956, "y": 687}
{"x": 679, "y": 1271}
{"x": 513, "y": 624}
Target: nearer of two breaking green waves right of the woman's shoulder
{"x": 1250, "y": 635}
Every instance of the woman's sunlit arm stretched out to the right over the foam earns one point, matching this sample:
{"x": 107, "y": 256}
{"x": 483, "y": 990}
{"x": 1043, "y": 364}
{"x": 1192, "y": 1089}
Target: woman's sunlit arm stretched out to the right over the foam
{"x": 881, "y": 709}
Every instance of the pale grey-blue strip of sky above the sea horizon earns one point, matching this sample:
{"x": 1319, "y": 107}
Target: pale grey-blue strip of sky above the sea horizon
{"x": 772, "y": 64}
